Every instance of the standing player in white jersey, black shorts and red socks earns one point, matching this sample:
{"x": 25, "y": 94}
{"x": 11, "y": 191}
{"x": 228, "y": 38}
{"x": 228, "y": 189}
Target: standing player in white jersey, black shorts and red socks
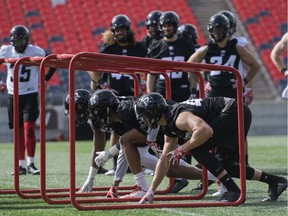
{"x": 28, "y": 94}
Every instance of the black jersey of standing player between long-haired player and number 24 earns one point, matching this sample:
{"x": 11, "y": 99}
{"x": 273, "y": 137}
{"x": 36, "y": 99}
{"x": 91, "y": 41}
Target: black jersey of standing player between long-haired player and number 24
{"x": 179, "y": 50}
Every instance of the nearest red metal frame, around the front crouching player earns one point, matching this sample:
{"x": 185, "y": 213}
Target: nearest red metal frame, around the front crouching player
{"x": 122, "y": 64}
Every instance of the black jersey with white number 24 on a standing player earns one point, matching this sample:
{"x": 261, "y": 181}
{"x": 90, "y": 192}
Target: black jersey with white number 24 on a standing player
{"x": 227, "y": 56}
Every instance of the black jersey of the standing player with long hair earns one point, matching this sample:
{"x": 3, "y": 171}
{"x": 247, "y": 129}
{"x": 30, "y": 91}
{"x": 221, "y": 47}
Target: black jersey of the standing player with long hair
{"x": 123, "y": 83}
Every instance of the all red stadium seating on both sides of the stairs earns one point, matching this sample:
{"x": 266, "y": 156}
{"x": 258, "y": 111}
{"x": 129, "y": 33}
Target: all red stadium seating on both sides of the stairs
{"x": 71, "y": 26}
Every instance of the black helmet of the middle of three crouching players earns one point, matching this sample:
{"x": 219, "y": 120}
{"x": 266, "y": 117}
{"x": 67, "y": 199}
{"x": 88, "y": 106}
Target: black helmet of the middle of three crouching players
{"x": 100, "y": 105}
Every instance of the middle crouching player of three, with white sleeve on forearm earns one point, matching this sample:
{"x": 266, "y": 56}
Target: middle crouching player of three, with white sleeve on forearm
{"x": 117, "y": 113}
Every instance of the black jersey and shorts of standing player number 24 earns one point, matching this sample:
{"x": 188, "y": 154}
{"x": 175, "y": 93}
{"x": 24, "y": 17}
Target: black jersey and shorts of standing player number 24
{"x": 221, "y": 82}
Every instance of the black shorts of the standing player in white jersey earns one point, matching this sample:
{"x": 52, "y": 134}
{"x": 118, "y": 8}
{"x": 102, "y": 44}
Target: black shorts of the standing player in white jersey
{"x": 28, "y": 109}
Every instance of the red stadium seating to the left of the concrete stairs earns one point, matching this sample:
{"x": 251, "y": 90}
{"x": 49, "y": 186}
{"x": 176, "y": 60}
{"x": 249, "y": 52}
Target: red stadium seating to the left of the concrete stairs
{"x": 72, "y": 26}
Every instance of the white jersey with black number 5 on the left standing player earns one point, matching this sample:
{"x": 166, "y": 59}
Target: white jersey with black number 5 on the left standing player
{"x": 28, "y": 75}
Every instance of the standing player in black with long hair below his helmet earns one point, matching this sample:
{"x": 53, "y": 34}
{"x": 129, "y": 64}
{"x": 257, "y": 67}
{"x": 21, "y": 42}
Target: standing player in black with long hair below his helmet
{"x": 118, "y": 40}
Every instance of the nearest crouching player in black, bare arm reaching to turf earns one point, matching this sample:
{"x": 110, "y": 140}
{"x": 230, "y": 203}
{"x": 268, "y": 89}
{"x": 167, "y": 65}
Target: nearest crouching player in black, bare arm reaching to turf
{"x": 211, "y": 122}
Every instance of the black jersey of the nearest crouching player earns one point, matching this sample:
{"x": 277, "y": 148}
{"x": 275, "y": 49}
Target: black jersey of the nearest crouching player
{"x": 220, "y": 113}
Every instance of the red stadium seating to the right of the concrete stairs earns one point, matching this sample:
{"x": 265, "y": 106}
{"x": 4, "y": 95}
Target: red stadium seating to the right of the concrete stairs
{"x": 266, "y": 22}
